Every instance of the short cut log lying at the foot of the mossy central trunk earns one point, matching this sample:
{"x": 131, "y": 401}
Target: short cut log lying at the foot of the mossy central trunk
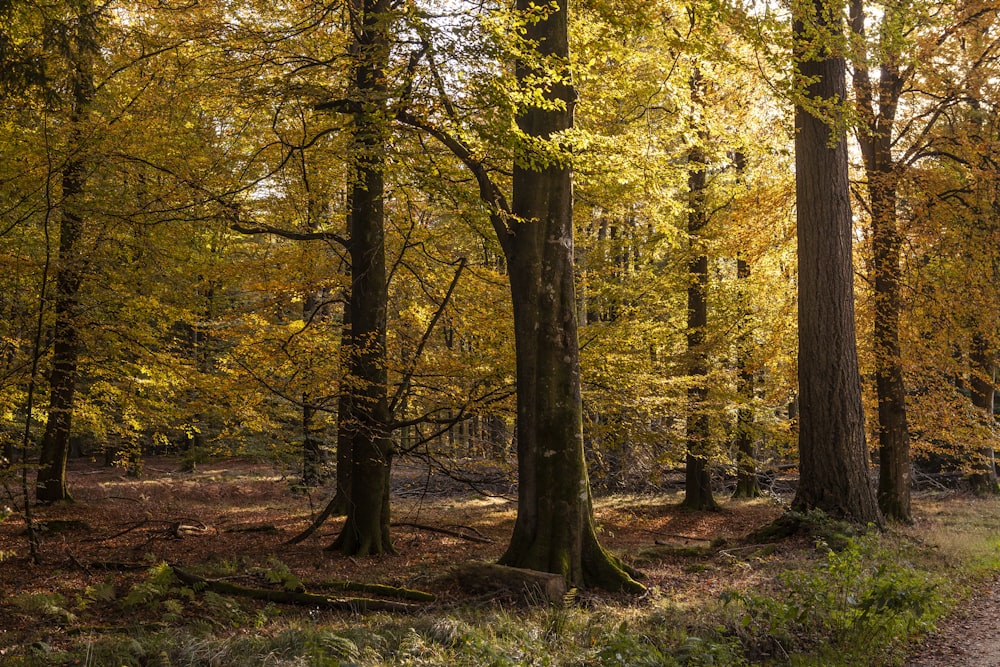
{"x": 528, "y": 586}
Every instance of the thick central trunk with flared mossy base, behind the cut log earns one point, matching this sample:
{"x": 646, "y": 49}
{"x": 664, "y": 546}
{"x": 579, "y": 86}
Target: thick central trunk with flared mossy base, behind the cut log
{"x": 554, "y": 530}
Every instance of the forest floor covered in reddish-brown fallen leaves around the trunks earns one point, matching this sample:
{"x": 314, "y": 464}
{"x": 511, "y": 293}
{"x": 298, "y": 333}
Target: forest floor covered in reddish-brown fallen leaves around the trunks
{"x": 238, "y": 515}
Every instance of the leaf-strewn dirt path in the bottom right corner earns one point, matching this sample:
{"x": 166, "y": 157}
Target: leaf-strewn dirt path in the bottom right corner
{"x": 970, "y": 638}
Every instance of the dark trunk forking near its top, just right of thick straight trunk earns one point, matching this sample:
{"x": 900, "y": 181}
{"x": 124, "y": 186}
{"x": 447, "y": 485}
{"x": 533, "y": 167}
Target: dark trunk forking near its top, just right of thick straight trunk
{"x": 875, "y": 139}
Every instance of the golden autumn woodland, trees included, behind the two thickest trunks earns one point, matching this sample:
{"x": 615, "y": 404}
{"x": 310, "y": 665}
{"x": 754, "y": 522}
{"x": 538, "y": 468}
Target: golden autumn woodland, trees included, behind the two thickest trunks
{"x": 184, "y": 189}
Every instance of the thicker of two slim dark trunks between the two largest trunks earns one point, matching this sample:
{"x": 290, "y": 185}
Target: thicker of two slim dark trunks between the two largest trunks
{"x": 698, "y": 480}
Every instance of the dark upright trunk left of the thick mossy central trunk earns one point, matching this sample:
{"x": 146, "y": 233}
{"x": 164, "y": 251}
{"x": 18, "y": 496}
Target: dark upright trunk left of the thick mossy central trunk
{"x": 366, "y": 530}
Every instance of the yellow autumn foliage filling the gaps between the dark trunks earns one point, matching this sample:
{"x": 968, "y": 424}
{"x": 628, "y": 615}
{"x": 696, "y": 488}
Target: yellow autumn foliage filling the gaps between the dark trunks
{"x": 202, "y": 120}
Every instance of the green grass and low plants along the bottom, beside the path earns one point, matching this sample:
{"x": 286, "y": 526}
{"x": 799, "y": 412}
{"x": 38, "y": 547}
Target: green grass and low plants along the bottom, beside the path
{"x": 801, "y": 604}
